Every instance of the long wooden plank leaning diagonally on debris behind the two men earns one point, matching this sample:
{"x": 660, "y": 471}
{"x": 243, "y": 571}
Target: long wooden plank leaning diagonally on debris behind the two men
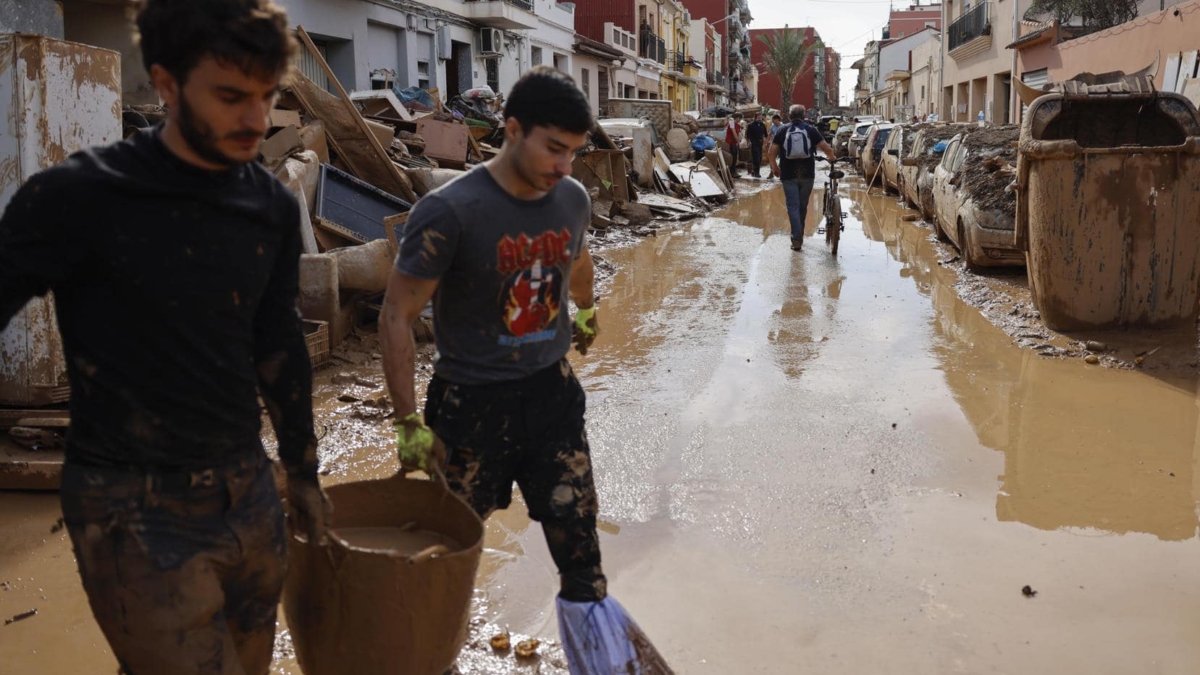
{"x": 367, "y": 157}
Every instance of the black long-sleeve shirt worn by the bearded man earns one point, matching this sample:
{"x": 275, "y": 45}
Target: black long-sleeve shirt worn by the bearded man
{"x": 176, "y": 291}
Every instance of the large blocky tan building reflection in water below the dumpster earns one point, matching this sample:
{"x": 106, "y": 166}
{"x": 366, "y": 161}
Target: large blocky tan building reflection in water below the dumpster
{"x": 1114, "y": 453}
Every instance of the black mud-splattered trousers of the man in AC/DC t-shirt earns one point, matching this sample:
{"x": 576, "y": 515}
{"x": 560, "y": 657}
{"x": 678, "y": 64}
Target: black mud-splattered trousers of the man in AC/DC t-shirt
{"x": 530, "y": 432}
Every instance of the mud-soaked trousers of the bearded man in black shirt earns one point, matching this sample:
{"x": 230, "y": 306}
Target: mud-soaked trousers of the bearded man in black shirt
{"x": 183, "y": 570}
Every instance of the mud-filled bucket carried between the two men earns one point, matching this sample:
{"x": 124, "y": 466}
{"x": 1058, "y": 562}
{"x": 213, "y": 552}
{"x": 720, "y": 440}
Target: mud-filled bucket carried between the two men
{"x": 392, "y": 592}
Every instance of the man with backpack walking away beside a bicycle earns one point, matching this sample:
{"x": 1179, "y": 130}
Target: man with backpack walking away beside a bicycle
{"x": 796, "y": 144}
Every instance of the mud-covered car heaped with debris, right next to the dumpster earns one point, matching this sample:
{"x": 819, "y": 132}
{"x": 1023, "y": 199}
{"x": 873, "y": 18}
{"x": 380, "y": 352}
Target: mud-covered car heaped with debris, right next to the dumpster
{"x": 975, "y": 200}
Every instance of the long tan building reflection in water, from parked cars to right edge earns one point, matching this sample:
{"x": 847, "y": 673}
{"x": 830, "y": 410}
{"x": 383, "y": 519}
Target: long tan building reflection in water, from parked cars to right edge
{"x": 1084, "y": 447}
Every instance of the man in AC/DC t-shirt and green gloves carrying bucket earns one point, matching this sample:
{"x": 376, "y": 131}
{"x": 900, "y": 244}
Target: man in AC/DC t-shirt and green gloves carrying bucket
{"x": 502, "y": 250}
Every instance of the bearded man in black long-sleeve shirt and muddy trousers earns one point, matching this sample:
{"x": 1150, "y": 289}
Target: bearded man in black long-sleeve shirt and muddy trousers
{"x": 175, "y": 264}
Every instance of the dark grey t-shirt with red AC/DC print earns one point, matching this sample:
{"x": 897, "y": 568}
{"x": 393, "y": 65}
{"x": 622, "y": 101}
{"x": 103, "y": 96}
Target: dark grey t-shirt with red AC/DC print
{"x": 503, "y": 266}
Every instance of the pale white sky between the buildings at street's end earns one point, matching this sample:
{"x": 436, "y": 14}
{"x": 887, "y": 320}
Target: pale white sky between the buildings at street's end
{"x": 847, "y": 26}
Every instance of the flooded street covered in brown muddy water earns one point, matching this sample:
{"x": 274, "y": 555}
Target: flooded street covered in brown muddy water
{"x": 805, "y": 465}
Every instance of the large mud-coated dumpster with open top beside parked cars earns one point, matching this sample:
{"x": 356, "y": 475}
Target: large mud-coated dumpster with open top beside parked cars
{"x": 1109, "y": 210}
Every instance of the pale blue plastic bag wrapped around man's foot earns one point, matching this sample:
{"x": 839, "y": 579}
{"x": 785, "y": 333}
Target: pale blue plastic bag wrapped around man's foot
{"x": 601, "y": 638}
